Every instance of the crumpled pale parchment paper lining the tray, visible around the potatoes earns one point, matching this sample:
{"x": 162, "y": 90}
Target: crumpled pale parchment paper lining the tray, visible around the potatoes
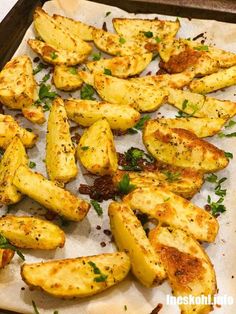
{"x": 84, "y": 238}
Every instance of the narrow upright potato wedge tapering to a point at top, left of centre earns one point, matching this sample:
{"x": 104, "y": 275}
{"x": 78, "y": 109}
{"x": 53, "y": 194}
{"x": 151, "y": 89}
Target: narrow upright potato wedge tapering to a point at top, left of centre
{"x": 60, "y": 151}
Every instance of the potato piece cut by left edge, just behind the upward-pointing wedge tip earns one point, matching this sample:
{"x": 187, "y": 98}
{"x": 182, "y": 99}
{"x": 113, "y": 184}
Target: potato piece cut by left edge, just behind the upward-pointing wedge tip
{"x": 10, "y": 128}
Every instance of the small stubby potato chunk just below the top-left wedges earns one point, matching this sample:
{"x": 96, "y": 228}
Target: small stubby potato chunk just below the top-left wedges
{"x": 66, "y": 78}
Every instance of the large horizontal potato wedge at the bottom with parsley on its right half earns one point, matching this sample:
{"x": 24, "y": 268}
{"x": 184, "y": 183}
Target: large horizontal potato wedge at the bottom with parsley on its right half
{"x": 77, "y": 277}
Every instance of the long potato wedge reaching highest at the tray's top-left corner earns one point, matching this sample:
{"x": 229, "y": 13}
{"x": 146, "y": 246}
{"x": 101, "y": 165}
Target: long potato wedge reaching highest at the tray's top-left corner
{"x": 61, "y": 38}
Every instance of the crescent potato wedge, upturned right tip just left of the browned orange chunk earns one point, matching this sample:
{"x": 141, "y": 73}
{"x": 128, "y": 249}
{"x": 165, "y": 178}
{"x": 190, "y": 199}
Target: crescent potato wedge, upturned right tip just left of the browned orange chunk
{"x": 122, "y": 67}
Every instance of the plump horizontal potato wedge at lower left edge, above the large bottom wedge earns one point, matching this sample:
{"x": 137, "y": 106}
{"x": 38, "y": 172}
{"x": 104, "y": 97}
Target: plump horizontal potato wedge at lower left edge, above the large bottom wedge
{"x": 31, "y": 233}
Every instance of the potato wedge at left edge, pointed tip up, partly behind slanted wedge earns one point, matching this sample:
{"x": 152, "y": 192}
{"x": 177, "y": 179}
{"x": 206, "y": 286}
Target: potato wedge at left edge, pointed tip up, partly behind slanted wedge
{"x": 13, "y": 157}
